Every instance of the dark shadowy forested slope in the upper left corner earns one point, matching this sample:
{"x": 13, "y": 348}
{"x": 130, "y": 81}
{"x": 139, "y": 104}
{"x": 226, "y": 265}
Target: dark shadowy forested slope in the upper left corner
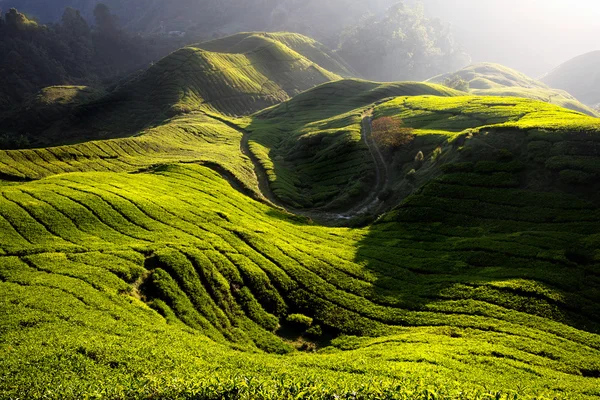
{"x": 33, "y": 56}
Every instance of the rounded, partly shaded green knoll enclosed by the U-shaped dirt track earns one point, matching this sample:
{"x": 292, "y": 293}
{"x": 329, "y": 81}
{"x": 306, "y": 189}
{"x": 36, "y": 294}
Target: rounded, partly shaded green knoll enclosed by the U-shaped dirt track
{"x": 311, "y": 146}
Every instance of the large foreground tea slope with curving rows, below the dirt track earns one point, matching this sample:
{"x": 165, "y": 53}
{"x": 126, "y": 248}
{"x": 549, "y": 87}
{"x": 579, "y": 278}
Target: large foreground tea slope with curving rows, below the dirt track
{"x": 471, "y": 306}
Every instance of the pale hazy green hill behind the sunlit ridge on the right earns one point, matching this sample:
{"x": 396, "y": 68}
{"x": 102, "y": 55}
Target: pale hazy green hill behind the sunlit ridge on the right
{"x": 488, "y": 79}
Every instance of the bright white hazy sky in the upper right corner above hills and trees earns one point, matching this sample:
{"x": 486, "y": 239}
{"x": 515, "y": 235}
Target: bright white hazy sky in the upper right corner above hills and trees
{"x": 531, "y": 35}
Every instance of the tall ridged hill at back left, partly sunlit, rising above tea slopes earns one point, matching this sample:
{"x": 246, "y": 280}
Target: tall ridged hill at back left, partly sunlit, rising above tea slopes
{"x": 261, "y": 72}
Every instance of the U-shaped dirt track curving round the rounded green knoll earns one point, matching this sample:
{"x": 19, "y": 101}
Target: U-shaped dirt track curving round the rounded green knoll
{"x": 319, "y": 214}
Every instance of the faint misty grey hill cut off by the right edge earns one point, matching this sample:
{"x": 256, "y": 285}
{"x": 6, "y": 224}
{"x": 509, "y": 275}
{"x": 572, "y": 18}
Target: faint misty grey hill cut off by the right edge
{"x": 579, "y": 76}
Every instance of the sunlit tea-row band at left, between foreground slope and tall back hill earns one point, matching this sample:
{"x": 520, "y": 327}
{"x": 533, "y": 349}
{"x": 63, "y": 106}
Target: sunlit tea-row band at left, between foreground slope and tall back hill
{"x": 194, "y": 138}
